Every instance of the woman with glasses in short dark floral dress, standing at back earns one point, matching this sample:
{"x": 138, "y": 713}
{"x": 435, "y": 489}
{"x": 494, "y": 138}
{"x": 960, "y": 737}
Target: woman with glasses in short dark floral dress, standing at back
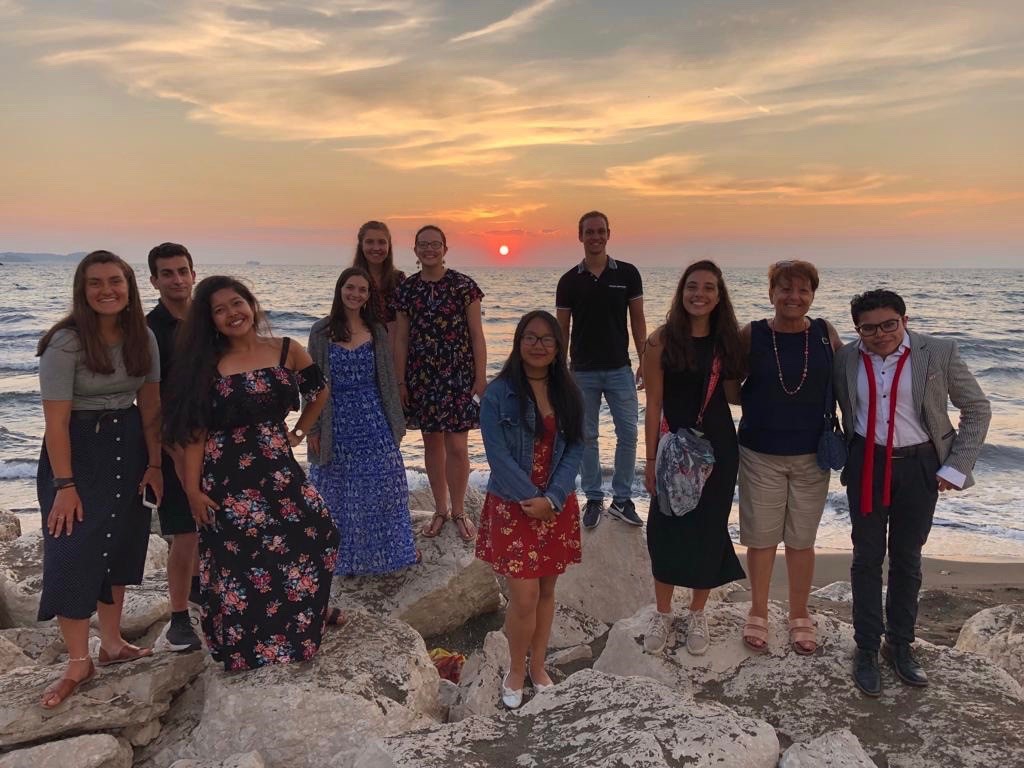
{"x": 441, "y": 361}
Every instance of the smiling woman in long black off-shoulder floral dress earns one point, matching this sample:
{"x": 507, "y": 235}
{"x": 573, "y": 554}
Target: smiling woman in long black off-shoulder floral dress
{"x": 268, "y": 545}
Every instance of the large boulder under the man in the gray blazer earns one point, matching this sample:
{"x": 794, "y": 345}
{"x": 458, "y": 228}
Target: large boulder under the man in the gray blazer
{"x": 965, "y": 718}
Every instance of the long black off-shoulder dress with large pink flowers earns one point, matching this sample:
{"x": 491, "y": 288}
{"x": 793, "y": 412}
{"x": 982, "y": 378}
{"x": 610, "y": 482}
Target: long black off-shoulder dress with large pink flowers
{"x": 267, "y": 565}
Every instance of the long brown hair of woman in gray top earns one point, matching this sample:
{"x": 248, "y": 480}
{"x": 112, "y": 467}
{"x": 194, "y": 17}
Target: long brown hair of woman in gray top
{"x": 84, "y": 322}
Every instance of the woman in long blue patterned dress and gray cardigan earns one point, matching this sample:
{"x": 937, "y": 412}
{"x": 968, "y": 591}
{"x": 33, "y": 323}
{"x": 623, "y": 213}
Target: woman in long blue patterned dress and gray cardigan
{"x": 354, "y": 447}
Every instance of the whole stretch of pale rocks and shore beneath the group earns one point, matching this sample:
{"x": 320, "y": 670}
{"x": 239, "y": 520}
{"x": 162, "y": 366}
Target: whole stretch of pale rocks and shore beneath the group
{"x": 373, "y": 699}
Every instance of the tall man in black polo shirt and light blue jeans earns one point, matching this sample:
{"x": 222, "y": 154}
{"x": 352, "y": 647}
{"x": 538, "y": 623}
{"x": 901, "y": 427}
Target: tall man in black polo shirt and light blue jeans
{"x": 593, "y": 301}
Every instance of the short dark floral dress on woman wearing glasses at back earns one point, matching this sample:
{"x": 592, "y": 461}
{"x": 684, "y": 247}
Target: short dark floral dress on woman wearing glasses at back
{"x": 440, "y": 369}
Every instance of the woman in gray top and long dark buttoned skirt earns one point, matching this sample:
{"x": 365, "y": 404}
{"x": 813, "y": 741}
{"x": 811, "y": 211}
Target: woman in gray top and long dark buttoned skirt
{"x": 101, "y": 454}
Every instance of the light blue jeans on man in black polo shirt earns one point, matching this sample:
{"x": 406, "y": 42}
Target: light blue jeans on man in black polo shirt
{"x": 620, "y": 391}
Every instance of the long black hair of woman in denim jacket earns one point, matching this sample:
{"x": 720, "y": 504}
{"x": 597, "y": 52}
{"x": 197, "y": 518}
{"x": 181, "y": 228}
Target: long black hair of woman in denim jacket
{"x": 563, "y": 390}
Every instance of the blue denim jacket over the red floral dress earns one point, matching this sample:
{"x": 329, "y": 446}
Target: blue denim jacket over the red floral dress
{"x": 509, "y": 446}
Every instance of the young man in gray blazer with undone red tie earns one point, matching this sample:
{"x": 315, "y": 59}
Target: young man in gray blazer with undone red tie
{"x": 893, "y": 387}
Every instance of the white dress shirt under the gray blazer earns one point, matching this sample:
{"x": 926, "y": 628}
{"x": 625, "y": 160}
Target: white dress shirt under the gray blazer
{"x": 909, "y": 431}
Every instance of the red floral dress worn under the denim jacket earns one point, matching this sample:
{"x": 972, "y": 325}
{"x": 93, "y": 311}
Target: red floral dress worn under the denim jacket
{"x": 522, "y": 547}
